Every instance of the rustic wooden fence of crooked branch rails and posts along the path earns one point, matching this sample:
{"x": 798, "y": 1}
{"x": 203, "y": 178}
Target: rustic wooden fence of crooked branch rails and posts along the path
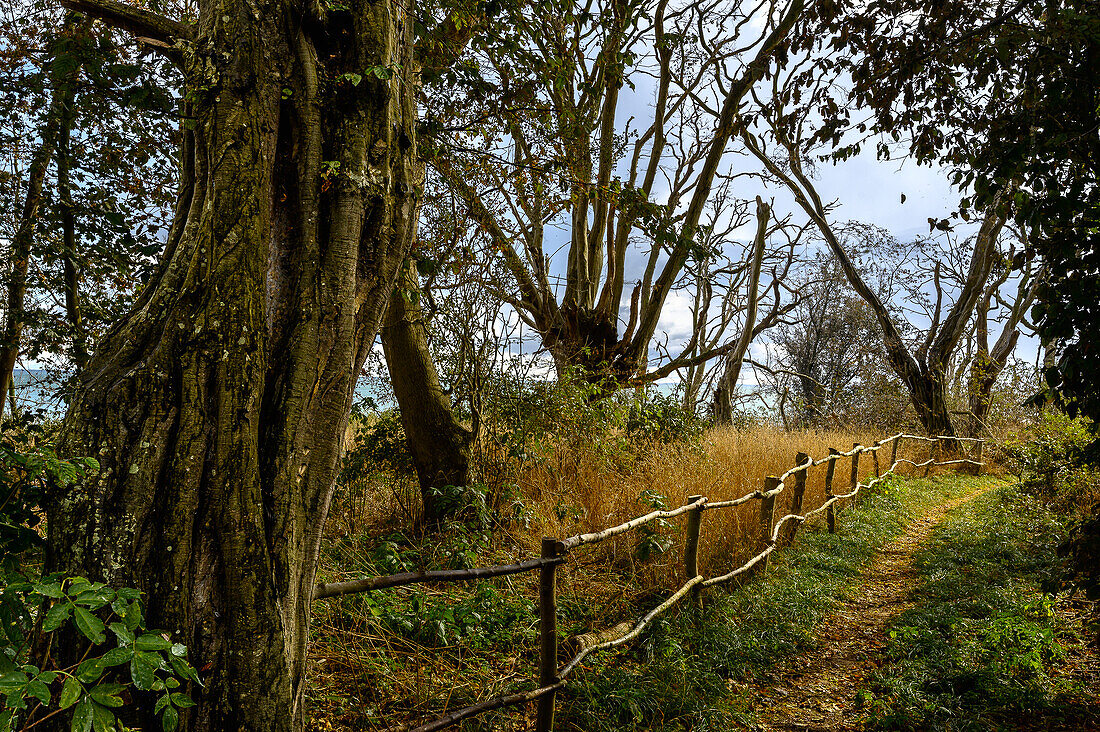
{"x": 775, "y": 534}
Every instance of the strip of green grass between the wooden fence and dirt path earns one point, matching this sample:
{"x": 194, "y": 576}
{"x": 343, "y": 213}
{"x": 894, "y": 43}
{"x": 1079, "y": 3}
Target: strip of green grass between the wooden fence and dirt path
{"x": 679, "y": 676}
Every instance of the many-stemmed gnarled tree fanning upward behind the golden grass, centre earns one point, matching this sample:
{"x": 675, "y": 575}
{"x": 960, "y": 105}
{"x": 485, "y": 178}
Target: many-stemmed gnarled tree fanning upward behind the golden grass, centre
{"x": 544, "y": 147}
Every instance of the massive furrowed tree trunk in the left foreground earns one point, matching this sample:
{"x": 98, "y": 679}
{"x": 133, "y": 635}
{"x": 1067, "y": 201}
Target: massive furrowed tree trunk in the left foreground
{"x": 218, "y": 406}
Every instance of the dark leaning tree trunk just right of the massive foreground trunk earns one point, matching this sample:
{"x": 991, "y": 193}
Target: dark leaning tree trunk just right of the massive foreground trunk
{"x": 439, "y": 443}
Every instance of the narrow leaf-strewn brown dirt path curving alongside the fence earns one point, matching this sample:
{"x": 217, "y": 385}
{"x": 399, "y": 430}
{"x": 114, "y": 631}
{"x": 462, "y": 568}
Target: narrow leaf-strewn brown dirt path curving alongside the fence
{"x": 818, "y": 691}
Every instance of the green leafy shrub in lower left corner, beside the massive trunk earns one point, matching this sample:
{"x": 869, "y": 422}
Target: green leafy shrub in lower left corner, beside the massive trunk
{"x": 38, "y": 613}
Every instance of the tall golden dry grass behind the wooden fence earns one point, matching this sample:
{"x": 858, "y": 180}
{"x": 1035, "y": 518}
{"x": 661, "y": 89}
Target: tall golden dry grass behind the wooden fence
{"x": 578, "y": 489}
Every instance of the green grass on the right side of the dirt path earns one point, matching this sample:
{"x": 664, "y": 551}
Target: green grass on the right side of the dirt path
{"x": 978, "y": 650}
